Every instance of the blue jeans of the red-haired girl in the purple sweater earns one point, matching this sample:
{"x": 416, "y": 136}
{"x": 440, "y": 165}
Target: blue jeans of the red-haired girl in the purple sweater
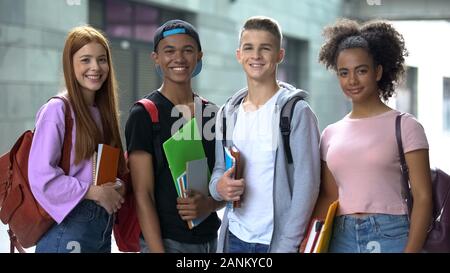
{"x": 87, "y": 228}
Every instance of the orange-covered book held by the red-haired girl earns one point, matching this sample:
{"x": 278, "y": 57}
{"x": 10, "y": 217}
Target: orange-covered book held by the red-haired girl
{"x": 106, "y": 164}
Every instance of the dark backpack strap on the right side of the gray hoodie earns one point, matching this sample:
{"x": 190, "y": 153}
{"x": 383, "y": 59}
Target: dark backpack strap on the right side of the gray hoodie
{"x": 285, "y": 124}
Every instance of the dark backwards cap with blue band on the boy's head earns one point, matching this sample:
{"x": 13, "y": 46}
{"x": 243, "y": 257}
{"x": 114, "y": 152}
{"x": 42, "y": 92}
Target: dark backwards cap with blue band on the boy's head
{"x": 175, "y": 27}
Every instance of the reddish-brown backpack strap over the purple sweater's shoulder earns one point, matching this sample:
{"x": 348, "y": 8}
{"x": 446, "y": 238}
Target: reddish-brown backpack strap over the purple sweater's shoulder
{"x": 67, "y": 143}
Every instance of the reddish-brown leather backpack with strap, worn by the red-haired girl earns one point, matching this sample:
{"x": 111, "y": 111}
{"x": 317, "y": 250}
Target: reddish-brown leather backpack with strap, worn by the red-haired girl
{"x": 27, "y": 220}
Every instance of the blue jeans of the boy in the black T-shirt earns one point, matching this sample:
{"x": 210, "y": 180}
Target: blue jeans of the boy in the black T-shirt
{"x": 172, "y": 246}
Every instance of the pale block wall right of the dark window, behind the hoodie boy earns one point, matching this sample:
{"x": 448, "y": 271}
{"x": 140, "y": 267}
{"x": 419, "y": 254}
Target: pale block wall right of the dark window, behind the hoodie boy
{"x": 218, "y": 23}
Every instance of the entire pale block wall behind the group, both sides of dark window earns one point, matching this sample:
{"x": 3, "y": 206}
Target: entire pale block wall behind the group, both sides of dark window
{"x": 32, "y": 35}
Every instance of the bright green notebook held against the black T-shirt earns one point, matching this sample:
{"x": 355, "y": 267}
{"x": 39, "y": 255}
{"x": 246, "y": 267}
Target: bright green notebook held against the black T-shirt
{"x": 185, "y": 145}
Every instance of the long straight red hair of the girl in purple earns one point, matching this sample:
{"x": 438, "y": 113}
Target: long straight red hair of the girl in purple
{"x": 88, "y": 136}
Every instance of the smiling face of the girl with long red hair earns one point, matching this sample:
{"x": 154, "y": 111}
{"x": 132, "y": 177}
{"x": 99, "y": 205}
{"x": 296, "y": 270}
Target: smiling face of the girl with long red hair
{"x": 91, "y": 67}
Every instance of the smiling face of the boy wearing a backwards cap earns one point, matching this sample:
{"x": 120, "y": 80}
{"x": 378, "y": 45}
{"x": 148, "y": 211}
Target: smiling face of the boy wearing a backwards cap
{"x": 177, "y": 55}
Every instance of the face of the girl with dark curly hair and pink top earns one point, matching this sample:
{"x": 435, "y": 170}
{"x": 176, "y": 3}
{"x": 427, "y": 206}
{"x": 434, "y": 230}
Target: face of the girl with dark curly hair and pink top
{"x": 358, "y": 75}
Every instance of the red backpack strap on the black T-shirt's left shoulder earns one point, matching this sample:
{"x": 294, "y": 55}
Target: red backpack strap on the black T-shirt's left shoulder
{"x": 152, "y": 110}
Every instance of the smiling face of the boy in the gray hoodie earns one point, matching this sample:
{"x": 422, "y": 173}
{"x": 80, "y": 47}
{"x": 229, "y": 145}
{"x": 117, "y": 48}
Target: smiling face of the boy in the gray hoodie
{"x": 259, "y": 54}
